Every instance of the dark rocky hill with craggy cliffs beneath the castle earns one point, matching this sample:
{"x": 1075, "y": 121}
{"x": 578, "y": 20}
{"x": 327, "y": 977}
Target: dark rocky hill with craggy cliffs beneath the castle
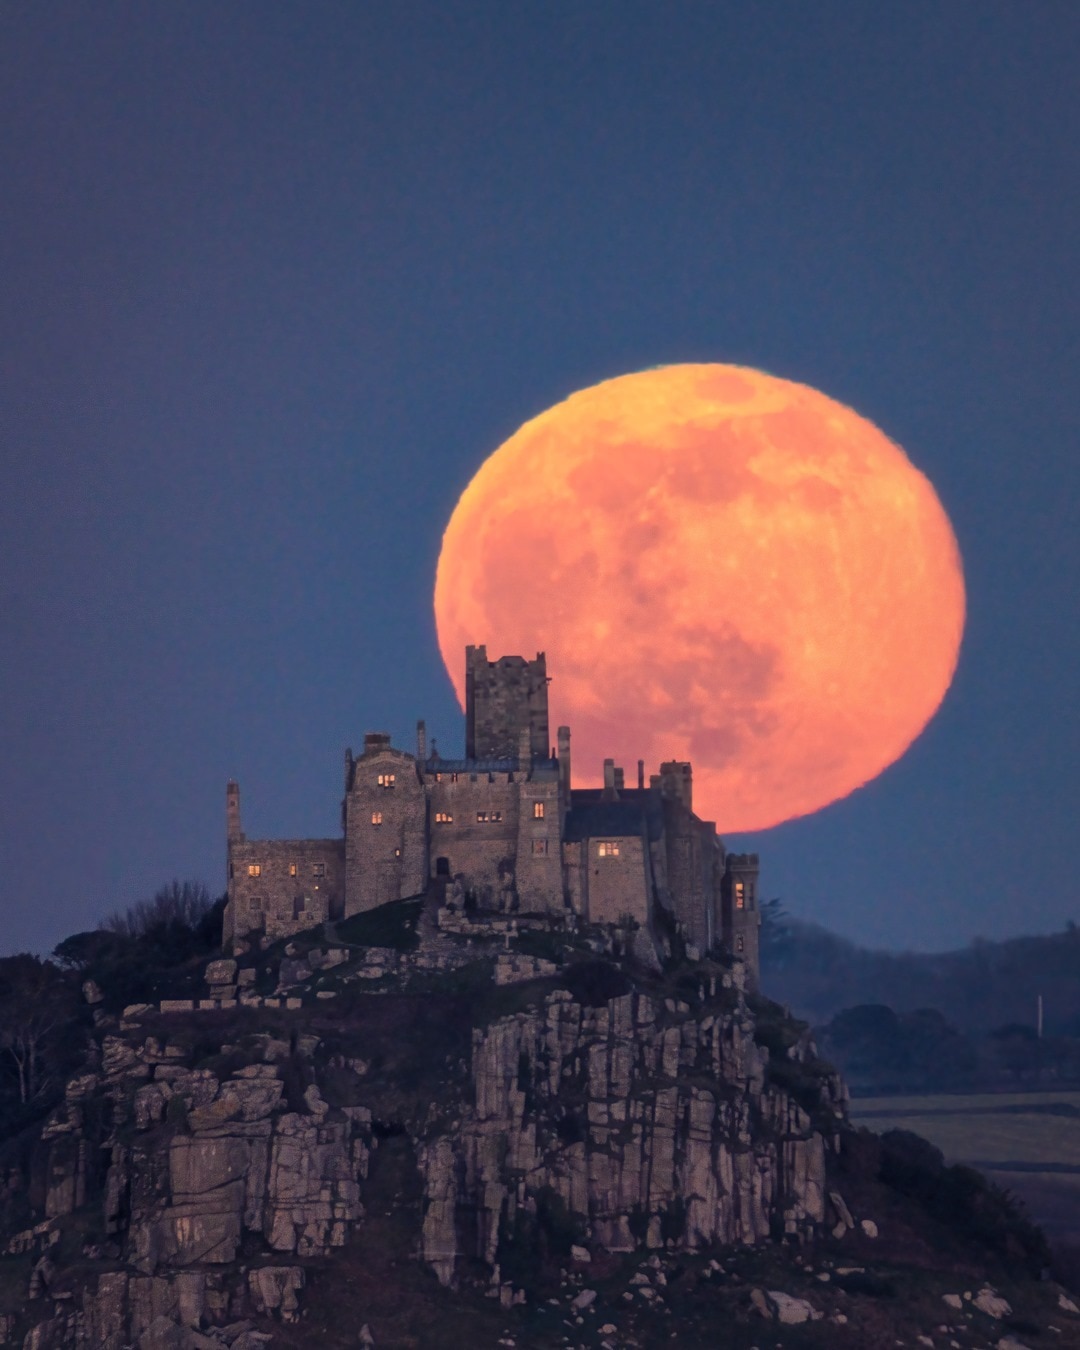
{"x": 396, "y": 1135}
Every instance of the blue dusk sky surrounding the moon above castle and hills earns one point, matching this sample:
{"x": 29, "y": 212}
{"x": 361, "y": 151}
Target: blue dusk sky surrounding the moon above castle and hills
{"x": 279, "y": 277}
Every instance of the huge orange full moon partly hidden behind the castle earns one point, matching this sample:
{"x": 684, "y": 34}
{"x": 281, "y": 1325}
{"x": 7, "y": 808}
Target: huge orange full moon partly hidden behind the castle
{"x": 723, "y": 568}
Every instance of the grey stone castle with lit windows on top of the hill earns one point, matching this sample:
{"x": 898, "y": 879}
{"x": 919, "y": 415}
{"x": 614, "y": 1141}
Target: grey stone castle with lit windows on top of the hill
{"x": 503, "y": 831}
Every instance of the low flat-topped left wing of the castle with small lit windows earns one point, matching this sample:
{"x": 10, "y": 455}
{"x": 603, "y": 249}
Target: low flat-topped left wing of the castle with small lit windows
{"x": 284, "y": 886}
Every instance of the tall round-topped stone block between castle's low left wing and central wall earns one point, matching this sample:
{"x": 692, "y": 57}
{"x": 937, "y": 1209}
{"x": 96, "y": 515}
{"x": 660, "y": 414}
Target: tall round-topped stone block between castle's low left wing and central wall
{"x": 387, "y": 854}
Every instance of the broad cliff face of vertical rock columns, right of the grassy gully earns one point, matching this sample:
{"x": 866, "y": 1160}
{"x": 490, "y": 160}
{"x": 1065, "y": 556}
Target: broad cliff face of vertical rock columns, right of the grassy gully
{"x": 649, "y": 1120}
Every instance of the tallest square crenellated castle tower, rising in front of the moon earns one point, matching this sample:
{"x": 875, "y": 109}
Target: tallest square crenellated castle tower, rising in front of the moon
{"x": 502, "y": 700}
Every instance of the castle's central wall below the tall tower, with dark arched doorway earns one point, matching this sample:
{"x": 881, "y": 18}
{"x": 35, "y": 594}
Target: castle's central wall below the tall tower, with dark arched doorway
{"x": 480, "y": 838}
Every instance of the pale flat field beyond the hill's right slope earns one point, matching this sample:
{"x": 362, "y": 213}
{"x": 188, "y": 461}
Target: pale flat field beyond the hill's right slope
{"x": 1028, "y": 1143}
